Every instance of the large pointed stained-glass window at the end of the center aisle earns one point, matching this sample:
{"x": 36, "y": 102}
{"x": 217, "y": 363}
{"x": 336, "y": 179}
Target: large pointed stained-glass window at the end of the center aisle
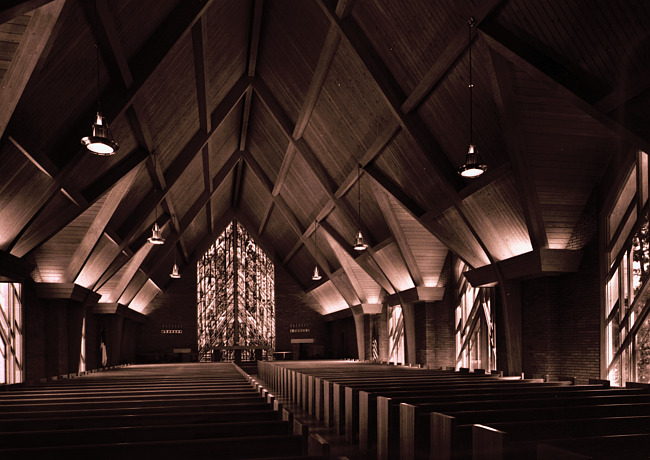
{"x": 235, "y": 299}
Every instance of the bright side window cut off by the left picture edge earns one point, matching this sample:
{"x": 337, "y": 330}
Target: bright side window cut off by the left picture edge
{"x": 11, "y": 334}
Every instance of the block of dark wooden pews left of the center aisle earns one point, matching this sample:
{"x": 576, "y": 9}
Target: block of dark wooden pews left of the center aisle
{"x": 198, "y": 410}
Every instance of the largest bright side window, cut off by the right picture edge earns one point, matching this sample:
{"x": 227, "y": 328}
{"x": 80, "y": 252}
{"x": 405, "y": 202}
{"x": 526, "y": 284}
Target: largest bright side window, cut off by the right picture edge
{"x": 627, "y": 300}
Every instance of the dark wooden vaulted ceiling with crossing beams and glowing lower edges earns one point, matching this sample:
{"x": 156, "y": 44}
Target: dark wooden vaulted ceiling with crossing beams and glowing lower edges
{"x": 307, "y": 120}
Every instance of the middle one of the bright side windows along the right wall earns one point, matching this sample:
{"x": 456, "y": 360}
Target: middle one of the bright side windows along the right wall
{"x": 475, "y": 325}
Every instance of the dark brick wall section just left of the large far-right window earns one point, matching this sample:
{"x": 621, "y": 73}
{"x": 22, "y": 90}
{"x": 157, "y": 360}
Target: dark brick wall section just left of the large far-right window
{"x": 561, "y": 315}
